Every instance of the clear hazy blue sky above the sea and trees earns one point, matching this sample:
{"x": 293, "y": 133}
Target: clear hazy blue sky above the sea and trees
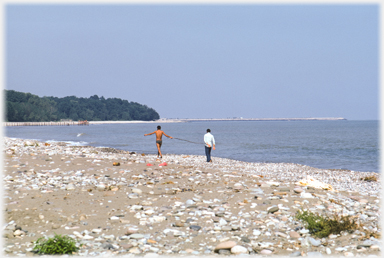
{"x": 201, "y": 61}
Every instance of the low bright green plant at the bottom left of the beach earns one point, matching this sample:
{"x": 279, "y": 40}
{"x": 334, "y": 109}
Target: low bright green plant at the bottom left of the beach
{"x": 56, "y": 245}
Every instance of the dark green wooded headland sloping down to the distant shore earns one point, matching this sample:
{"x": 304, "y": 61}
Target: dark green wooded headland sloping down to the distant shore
{"x": 26, "y": 107}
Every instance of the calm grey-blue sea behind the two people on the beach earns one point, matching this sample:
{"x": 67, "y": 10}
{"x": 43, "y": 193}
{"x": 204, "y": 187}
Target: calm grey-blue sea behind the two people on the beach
{"x": 352, "y": 145}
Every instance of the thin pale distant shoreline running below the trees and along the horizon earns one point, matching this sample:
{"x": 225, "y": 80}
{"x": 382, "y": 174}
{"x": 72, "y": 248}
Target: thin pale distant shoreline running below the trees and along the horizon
{"x": 171, "y": 120}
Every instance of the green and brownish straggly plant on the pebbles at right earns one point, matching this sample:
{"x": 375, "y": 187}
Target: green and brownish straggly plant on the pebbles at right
{"x": 323, "y": 226}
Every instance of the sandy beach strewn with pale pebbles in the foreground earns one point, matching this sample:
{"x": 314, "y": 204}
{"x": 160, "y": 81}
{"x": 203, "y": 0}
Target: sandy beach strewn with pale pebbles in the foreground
{"x": 121, "y": 203}
